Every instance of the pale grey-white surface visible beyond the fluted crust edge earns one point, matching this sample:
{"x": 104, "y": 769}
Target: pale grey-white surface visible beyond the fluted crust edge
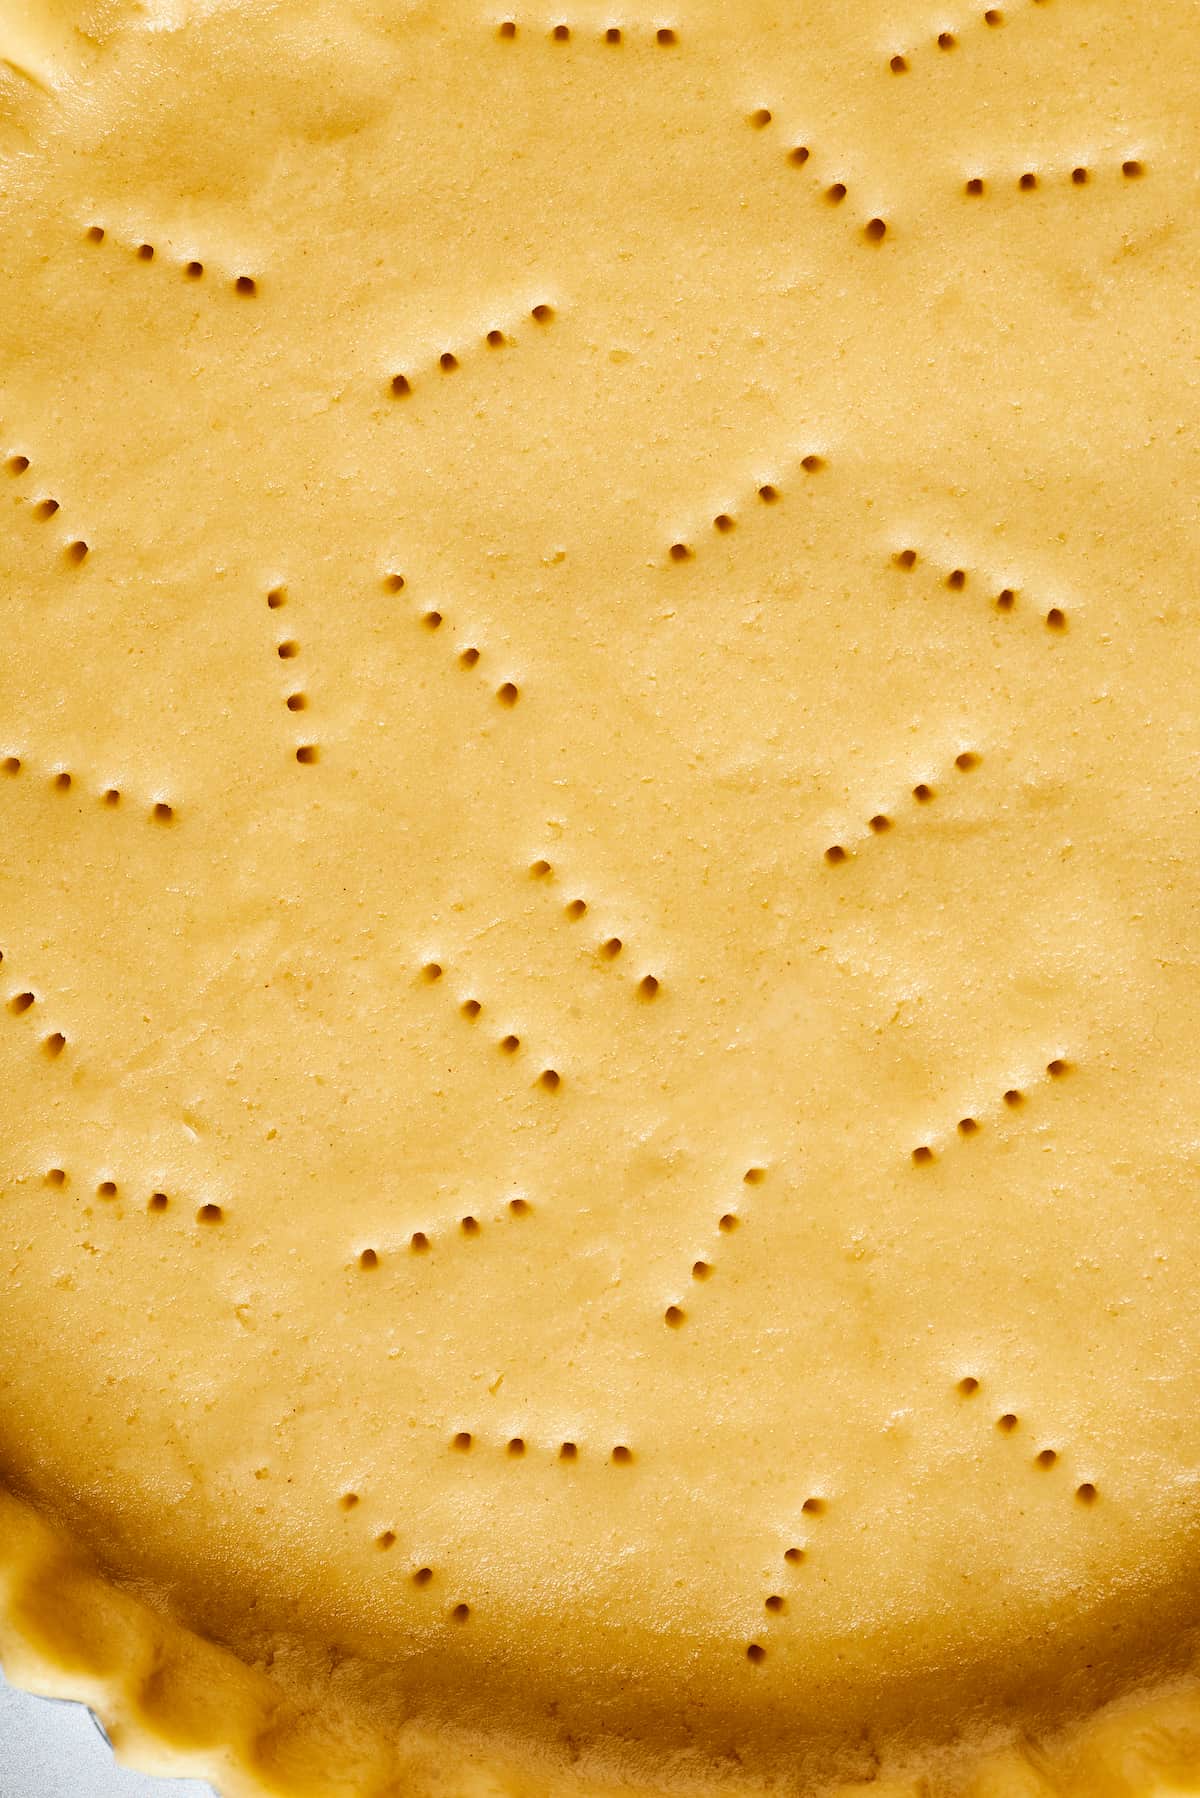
{"x": 57, "y": 1752}
